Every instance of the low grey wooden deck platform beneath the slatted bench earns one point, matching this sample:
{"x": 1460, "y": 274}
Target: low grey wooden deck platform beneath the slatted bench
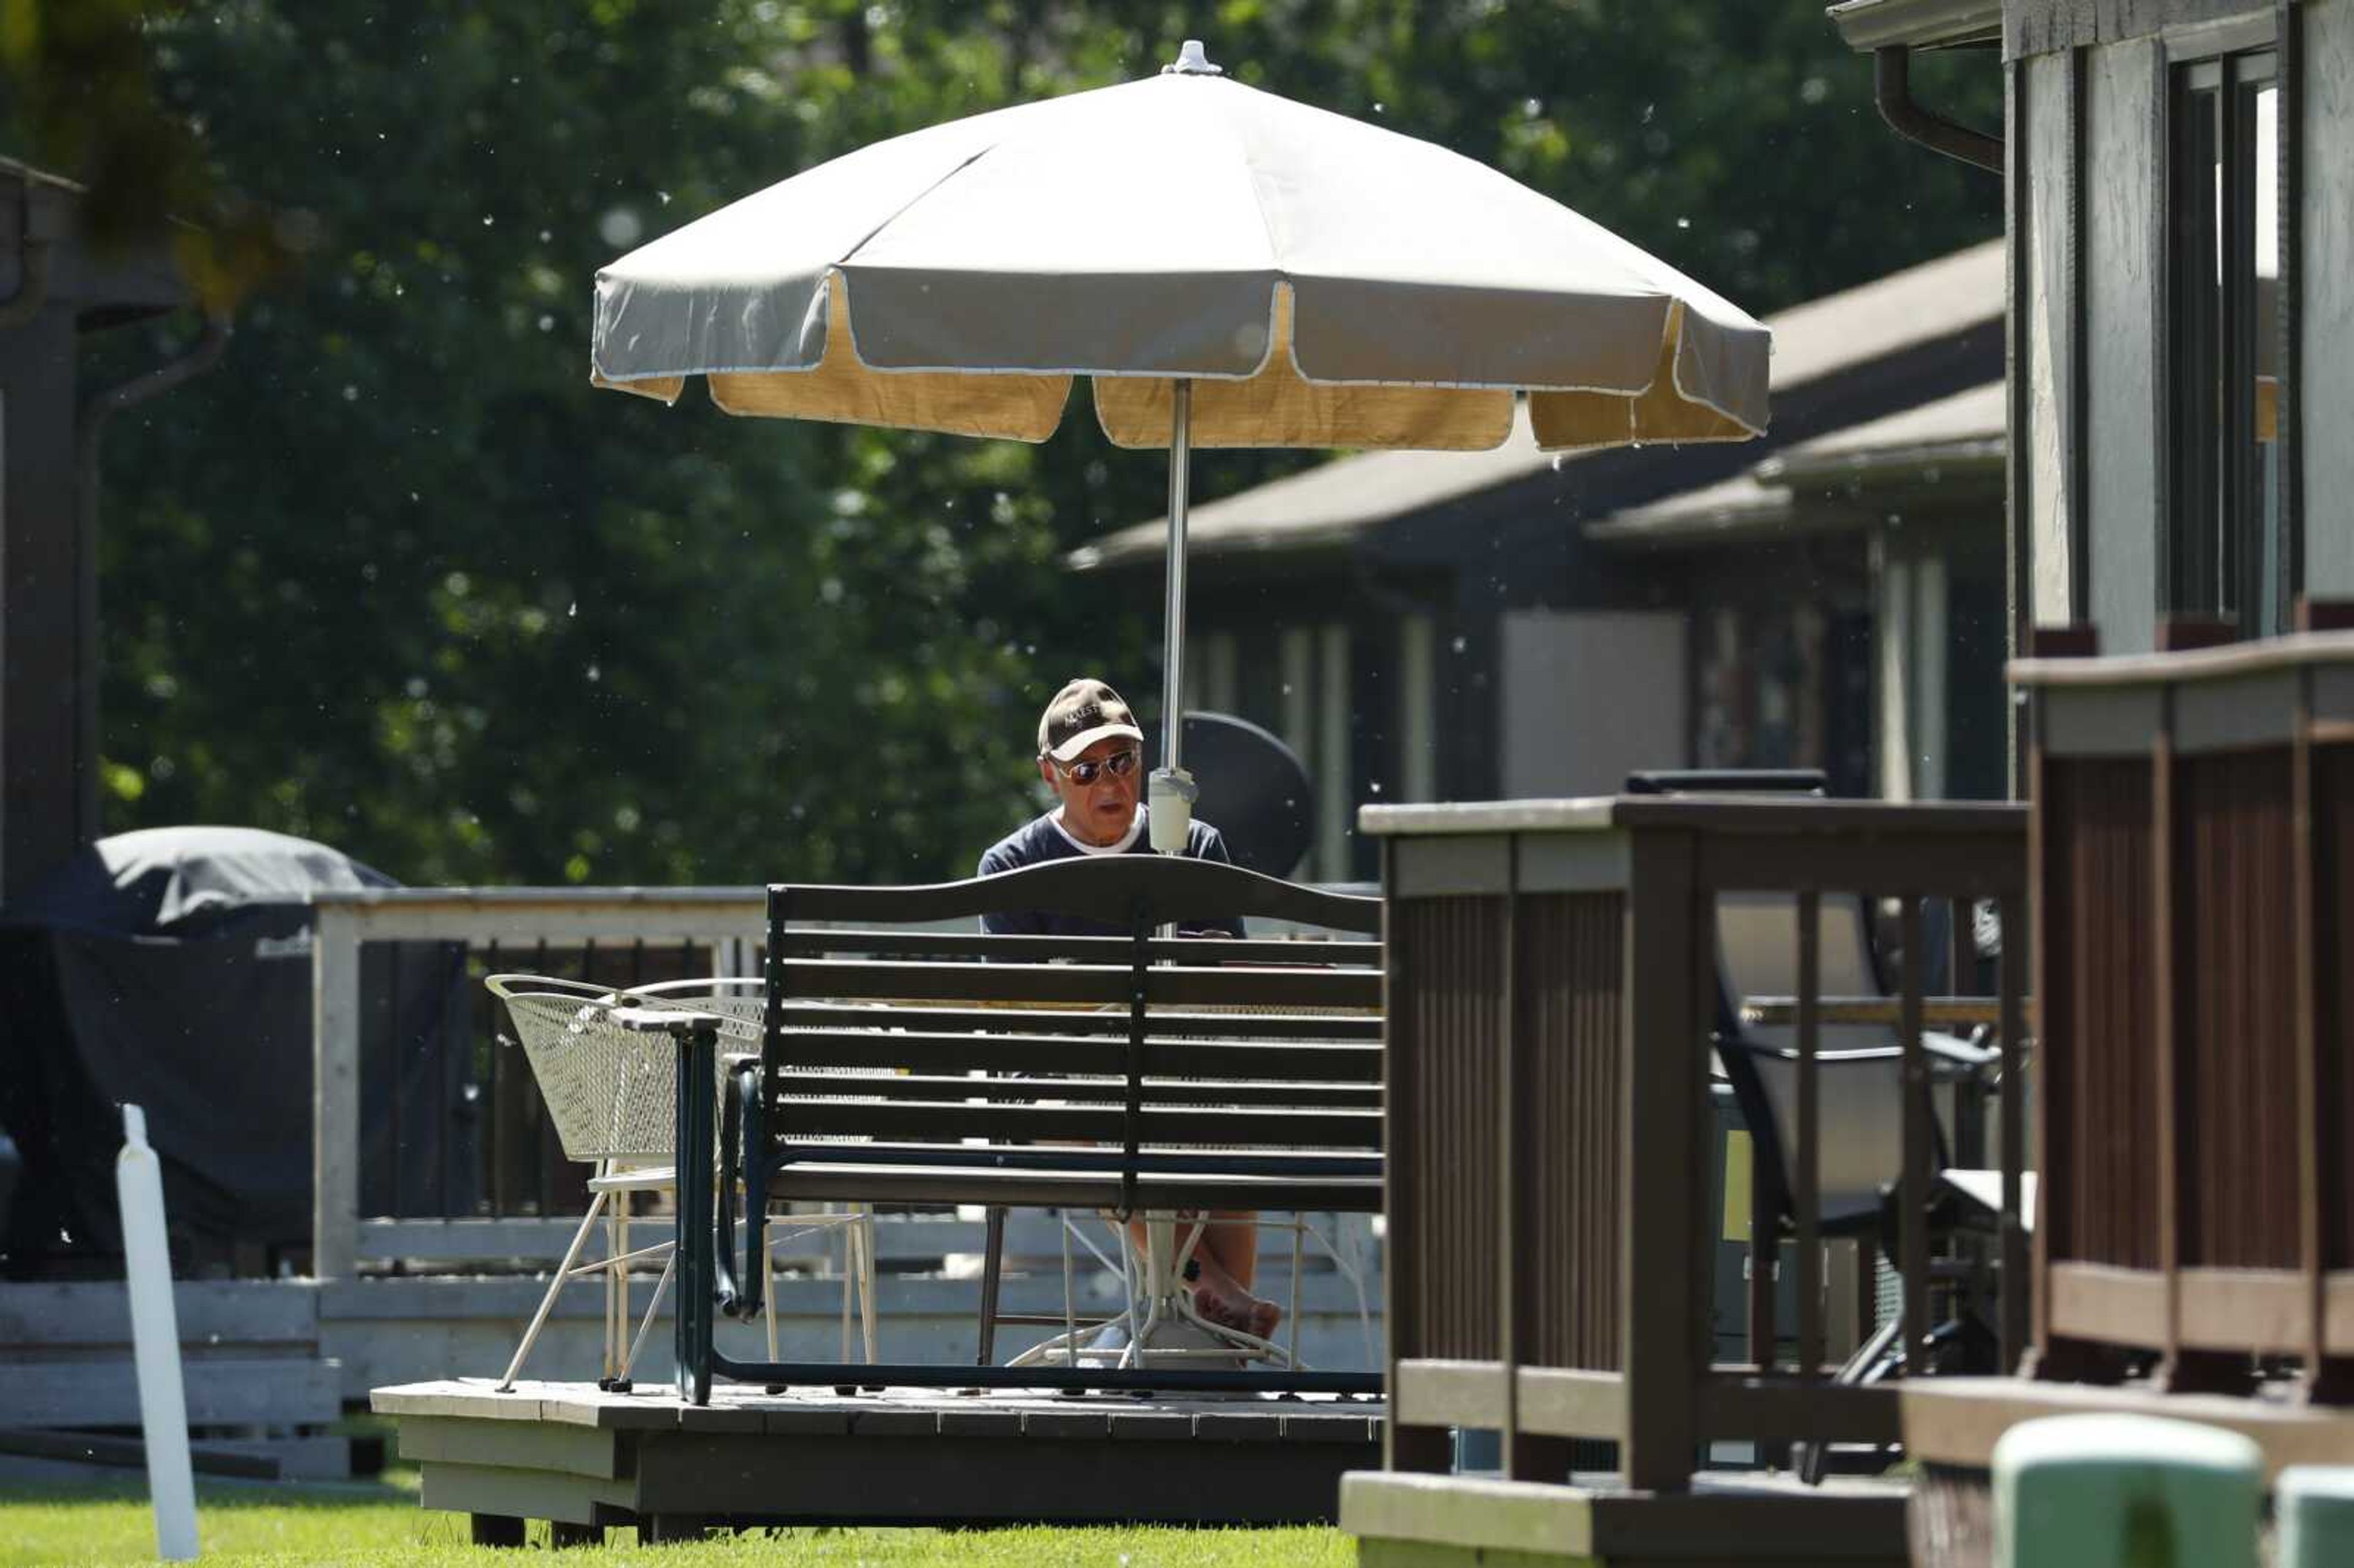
{"x": 585, "y": 1459}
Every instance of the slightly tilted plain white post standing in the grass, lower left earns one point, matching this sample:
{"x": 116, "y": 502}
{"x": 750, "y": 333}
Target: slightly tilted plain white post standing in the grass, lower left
{"x": 164, "y": 1404}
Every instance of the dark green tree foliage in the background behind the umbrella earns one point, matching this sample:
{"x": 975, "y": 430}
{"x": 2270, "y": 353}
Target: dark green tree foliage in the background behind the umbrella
{"x": 399, "y": 580}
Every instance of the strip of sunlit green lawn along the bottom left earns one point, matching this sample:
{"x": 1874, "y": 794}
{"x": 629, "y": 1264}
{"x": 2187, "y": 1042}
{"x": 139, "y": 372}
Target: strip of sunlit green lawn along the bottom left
{"x": 385, "y": 1527}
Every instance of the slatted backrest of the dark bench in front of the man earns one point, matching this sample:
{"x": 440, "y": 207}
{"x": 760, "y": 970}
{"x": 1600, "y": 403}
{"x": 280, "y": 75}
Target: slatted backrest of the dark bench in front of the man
{"x": 1131, "y": 1042}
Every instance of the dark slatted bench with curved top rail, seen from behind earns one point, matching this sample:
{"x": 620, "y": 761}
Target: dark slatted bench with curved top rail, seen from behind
{"x": 1131, "y": 1072}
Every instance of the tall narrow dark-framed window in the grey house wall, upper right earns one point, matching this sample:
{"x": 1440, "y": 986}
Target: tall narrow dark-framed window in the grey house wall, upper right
{"x": 2223, "y": 540}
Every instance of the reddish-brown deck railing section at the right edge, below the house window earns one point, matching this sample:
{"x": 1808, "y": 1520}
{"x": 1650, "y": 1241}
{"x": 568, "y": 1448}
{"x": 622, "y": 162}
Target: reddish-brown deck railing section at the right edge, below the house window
{"x": 2195, "y": 870}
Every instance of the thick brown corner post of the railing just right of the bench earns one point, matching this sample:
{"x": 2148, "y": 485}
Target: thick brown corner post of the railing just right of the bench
{"x": 1663, "y": 1089}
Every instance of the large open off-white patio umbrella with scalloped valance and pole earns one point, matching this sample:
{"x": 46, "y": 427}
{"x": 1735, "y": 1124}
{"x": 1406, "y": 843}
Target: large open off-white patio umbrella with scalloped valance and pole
{"x": 1228, "y": 267}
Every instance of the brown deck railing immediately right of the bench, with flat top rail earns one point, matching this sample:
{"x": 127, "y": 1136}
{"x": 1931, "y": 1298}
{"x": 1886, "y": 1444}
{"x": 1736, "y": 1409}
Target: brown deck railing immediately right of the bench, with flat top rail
{"x": 1552, "y": 992}
